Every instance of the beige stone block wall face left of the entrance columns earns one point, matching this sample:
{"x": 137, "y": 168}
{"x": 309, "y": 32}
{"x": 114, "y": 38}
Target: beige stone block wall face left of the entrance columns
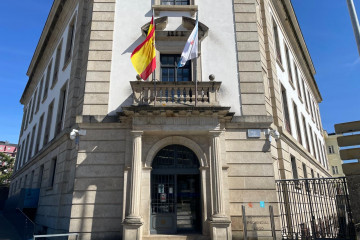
{"x": 97, "y": 204}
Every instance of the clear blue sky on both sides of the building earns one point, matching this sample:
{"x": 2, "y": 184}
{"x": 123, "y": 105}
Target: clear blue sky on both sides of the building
{"x": 325, "y": 25}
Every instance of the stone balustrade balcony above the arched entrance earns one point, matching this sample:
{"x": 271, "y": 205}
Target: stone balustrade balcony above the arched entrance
{"x": 175, "y": 94}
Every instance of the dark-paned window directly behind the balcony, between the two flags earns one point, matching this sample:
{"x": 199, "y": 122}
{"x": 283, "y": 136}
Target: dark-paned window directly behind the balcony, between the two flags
{"x": 168, "y": 69}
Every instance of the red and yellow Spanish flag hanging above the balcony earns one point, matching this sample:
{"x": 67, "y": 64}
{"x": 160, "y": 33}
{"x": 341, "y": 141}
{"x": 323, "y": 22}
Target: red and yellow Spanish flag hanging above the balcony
{"x": 143, "y": 57}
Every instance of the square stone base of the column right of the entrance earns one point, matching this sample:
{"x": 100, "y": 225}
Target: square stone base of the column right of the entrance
{"x": 220, "y": 228}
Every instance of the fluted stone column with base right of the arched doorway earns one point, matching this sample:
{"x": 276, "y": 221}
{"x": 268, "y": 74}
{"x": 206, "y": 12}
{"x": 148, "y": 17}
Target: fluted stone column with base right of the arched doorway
{"x": 220, "y": 223}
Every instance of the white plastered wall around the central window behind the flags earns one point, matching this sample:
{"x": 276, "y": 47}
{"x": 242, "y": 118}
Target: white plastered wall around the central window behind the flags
{"x": 217, "y": 49}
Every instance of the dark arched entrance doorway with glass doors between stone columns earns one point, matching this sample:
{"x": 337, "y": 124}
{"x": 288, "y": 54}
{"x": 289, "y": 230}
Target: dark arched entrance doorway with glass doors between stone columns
{"x": 175, "y": 191}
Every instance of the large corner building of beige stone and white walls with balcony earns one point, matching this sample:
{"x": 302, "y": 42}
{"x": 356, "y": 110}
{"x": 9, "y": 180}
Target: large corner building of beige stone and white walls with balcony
{"x": 165, "y": 156}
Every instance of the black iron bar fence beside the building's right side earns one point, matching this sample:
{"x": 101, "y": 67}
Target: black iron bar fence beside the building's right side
{"x": 316, "y": 208}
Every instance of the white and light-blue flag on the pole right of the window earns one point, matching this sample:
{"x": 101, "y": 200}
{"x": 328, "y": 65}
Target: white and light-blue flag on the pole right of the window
{"x": 191, "y": 47}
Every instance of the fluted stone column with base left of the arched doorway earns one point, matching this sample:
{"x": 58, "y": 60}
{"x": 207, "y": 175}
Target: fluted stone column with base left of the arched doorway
{"x": 133, "y": 221}
